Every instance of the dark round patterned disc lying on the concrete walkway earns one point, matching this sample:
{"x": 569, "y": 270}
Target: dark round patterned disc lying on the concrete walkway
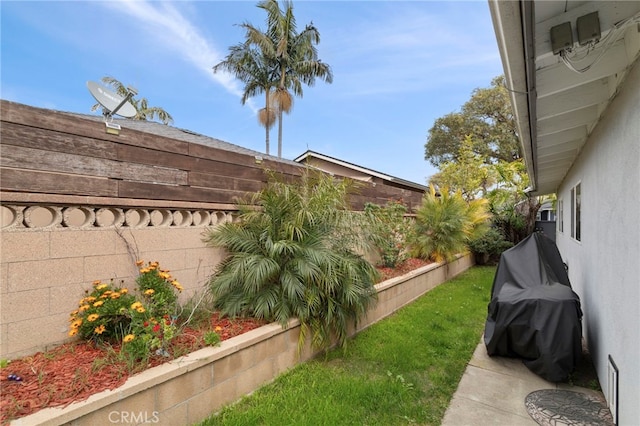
{"x": 554, "y": 407}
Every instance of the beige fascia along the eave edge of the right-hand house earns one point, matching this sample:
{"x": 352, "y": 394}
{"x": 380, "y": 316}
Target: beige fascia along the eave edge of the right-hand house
{"x": 514, "y": 25}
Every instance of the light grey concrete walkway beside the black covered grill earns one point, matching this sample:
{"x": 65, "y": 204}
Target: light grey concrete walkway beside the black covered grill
{"x": 492, "y": 392}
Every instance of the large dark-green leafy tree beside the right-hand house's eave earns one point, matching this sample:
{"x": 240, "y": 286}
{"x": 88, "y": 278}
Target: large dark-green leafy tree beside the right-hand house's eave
{"x": 488, "y": 118}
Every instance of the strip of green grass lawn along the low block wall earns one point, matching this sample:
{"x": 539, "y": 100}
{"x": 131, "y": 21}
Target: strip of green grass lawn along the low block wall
{"x": 402, "y": 370}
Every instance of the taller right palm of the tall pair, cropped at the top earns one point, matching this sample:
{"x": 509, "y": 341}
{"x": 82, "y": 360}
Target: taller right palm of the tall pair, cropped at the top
{"x": 296, "y": 56}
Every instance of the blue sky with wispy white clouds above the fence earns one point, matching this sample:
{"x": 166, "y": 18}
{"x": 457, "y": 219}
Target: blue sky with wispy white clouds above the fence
{"x": 397, "y": 66}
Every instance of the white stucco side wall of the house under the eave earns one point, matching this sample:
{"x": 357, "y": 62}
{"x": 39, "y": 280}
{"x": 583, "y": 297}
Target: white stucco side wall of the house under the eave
{"x": 604, "y": 267}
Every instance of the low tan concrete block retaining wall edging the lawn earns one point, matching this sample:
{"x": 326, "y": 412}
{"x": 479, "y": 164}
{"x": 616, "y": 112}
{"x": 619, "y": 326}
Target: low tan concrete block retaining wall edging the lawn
{"x": 189, "y": 389}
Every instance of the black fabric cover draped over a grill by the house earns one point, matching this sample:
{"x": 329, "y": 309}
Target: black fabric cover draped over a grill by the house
{"x": 534, "y": 314}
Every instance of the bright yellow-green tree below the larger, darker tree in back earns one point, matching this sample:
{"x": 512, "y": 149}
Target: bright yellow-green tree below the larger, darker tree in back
{"x": 469, "y": 174}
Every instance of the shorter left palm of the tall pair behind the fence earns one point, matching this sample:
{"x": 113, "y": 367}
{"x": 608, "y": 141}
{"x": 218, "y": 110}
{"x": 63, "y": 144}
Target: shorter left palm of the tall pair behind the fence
{"x": 249, "y": 62}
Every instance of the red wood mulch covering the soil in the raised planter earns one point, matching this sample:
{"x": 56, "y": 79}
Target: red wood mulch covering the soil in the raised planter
{"x": 73, "y": 372}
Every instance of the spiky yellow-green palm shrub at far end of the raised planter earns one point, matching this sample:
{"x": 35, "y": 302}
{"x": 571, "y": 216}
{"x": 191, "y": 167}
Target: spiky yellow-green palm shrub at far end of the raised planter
{"x": 445, "y": 223}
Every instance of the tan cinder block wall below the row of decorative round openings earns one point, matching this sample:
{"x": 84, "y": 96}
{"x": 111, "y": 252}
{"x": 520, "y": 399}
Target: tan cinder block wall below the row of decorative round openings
{"x": 45, "y": 271}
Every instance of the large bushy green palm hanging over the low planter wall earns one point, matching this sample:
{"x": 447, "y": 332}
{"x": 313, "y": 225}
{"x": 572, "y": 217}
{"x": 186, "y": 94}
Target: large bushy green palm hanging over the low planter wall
{"x": 294, "y": 256}
